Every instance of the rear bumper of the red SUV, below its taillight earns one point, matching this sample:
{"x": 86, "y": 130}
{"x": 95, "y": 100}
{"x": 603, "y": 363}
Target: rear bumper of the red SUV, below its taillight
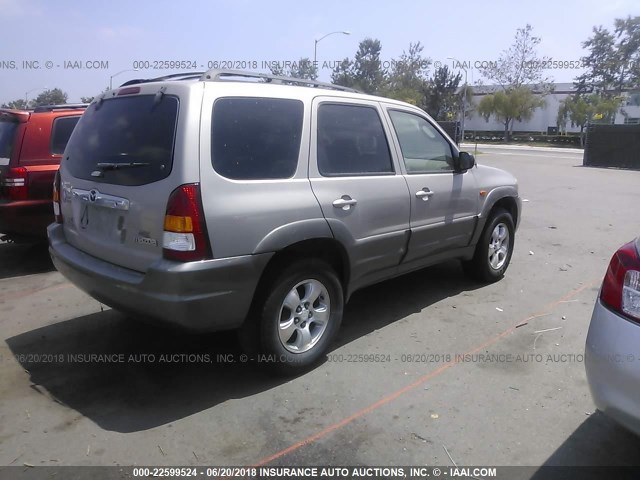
{"x": 28, "y": 218}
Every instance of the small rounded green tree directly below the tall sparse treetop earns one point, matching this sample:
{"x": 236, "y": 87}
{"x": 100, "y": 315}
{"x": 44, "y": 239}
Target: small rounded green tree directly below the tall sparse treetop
{"x": 509, "y": 105}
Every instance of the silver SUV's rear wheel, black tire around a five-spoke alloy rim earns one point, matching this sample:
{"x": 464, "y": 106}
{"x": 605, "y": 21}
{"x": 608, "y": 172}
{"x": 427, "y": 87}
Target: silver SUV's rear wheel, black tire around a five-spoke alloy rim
{"x": 276, "y": 319}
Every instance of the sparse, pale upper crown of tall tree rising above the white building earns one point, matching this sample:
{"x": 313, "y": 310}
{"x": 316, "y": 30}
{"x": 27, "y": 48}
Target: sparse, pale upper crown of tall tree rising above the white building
{"x": 519, "y": 65}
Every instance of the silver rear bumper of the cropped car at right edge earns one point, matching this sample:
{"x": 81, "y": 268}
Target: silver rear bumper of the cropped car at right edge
{"x": 612, "y": 362}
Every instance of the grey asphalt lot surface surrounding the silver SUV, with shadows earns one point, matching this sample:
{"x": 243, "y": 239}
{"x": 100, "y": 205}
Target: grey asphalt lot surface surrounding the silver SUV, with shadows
{"x": 429, "y": 369}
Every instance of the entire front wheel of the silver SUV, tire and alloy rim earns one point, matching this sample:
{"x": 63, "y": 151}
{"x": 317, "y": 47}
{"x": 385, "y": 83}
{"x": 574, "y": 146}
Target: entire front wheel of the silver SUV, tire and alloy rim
{"x": 494, "y": 249}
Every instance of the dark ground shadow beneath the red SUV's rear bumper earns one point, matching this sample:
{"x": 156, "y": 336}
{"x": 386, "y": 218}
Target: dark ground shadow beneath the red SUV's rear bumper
{"x": 18, "y": 259}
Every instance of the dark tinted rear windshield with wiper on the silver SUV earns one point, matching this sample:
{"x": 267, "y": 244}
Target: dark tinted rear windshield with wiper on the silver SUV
{"x": 125, "y": 141}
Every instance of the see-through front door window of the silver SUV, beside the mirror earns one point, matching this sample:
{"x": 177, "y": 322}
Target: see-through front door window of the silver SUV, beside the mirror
{"x": 424, "y": 149}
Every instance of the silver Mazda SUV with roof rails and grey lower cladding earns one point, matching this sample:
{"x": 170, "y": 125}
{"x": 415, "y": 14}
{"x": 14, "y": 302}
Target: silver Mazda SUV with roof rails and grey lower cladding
{"x": 235, "y": 200}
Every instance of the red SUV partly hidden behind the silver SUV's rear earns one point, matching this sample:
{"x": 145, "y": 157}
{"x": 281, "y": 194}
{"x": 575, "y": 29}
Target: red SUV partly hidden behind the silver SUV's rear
{"x": 31, "y": 146}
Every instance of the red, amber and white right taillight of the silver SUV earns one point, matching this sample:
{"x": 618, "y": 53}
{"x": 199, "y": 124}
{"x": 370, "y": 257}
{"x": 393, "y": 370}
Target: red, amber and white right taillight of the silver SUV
{"x": 185, "y": 235}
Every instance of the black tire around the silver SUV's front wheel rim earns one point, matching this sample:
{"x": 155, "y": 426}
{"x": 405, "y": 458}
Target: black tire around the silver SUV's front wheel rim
{"x": 481, "y": 267}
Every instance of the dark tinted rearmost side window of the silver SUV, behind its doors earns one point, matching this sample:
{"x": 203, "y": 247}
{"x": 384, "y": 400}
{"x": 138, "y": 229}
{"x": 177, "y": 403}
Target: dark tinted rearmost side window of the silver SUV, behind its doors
{"x": 256, "y": 138}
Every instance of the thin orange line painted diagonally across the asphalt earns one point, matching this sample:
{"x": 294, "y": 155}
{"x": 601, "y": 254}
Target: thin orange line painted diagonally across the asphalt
{"x": 419, "y": 382}
